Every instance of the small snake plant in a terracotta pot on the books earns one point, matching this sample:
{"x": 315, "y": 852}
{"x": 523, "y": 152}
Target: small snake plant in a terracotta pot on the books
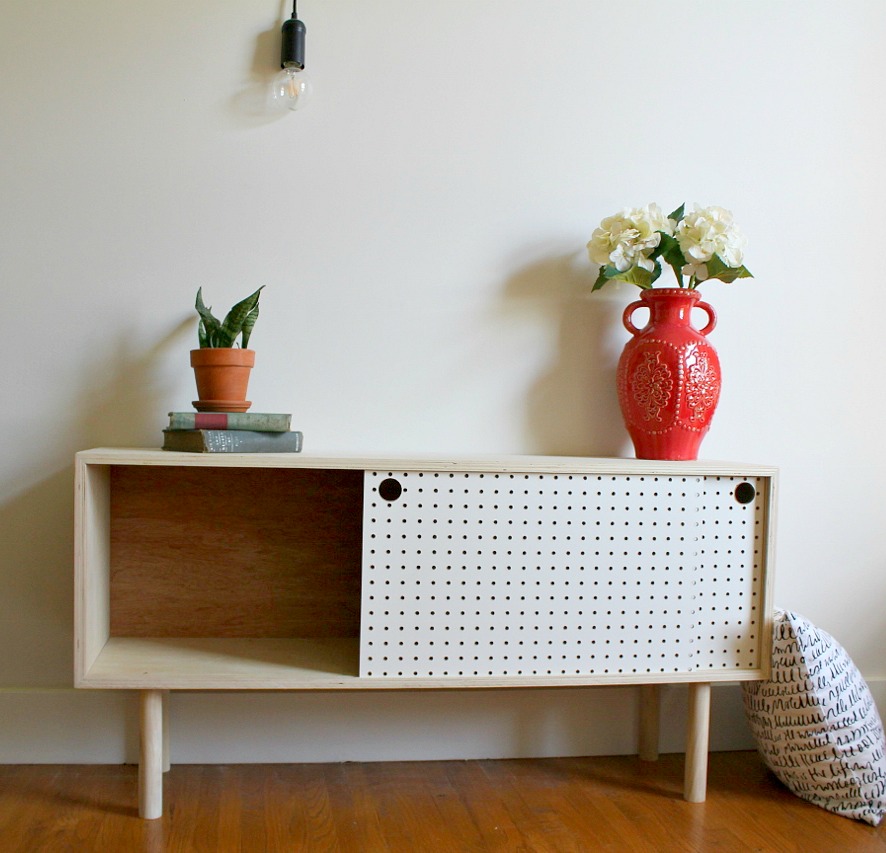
{"x": 220, "y": 367}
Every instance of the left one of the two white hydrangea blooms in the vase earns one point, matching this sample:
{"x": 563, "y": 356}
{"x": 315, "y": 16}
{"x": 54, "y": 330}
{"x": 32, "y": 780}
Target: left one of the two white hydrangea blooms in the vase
{"x": 626, "y": 239}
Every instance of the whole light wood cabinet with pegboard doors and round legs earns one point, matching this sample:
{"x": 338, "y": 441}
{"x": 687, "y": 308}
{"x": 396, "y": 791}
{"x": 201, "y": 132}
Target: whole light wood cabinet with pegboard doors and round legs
{"x": 292, "y": 572}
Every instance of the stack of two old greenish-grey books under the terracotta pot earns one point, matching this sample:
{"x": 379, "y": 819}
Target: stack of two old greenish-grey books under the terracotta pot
{"x": 231, "y": 432}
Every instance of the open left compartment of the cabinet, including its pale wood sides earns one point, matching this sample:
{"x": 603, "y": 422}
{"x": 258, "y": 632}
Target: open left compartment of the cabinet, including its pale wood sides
{"x": 207, "y": 577}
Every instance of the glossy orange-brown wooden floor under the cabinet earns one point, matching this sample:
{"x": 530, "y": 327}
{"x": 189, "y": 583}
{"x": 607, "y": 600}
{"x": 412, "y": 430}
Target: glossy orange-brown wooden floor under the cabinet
{"x": 570, "y": 804}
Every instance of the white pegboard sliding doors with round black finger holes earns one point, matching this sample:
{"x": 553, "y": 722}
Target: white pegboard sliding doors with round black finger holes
{"x": 511, "y": 574}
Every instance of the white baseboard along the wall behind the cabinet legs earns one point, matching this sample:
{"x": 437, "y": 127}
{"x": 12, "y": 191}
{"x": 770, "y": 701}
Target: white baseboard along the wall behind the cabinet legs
{"x": 69, "y": 726}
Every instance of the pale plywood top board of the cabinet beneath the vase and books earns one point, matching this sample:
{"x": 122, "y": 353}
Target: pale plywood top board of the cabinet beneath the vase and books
{"x": 430, "y": 462}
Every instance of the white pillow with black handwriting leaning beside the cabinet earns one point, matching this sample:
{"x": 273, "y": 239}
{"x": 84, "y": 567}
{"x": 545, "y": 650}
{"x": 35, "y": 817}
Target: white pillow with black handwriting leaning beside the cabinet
{"x": 816, "y": 724}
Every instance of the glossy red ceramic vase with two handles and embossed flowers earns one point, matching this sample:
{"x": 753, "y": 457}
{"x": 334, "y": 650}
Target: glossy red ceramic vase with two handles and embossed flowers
{"x": 668, "y": 375}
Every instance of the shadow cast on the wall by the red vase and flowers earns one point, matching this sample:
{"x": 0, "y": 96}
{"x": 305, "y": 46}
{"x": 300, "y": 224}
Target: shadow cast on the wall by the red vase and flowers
{"x": 572, "y": 408}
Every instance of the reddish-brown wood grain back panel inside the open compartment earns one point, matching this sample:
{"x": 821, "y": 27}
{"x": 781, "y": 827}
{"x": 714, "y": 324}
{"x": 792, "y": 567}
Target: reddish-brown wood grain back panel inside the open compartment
{"x": 235, "y": 552}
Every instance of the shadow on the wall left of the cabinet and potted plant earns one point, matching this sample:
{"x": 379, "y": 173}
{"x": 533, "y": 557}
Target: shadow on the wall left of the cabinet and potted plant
{"x": 122, "y": 401}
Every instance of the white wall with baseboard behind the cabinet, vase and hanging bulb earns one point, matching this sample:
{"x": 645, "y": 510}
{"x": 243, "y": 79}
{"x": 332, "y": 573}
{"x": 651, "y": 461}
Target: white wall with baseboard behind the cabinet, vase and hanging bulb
{"x": 420, "y": 229}
